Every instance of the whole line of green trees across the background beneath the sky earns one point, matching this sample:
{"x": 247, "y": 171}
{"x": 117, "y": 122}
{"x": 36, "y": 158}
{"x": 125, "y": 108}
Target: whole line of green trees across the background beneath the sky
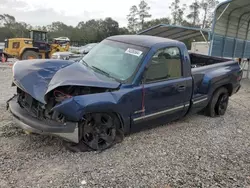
{"x": 197, "y": 14}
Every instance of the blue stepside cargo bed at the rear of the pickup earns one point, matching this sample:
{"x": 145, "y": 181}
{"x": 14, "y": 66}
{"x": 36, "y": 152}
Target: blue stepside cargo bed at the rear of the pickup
{"x": 211, "y": 73}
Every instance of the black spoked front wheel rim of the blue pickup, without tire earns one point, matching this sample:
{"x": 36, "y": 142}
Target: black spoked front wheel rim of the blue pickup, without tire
{"x": 99, "y": 131}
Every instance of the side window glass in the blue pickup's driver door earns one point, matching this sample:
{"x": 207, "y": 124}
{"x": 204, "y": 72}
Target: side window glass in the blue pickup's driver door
{"x": 165, "y": 64}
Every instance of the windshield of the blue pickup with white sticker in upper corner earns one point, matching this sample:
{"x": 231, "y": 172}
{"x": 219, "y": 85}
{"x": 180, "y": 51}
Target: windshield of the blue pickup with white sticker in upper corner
{"x": 116, "y": 59}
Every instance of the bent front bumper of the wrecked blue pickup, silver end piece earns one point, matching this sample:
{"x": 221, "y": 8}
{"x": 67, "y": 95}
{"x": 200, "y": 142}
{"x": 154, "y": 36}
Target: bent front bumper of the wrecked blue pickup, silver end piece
{"x": 68, "y": 131}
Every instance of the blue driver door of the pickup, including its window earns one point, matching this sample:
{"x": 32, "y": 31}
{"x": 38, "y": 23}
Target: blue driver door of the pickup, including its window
{"x": 164, "y": 88}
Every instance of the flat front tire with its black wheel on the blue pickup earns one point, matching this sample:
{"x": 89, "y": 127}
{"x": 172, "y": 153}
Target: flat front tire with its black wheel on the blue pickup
{"x": 99, "y": 131}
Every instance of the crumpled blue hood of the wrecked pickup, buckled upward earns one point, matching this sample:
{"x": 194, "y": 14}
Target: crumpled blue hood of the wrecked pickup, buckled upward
{"x": 38, "y": 77}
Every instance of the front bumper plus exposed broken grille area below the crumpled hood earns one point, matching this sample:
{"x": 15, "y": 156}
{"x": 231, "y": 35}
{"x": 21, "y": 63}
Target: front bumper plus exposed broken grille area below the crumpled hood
{"x": 34, "y": 116}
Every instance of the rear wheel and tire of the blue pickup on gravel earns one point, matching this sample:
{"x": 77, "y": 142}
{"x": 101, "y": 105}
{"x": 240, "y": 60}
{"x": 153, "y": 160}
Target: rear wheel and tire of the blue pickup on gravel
{"x": 218, "y": 104}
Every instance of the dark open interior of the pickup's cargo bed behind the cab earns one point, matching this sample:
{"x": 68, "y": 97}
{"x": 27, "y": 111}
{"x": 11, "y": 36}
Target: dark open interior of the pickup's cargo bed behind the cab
{"x": 199, "y": 60}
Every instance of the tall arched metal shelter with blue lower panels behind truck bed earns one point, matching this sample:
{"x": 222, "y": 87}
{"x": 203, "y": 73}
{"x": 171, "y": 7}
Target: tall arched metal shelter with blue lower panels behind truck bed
{"x": 231, "y": 36}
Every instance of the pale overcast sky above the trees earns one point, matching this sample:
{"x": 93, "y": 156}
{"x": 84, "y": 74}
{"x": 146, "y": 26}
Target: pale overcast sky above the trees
{"x": 71, "y": 12}
